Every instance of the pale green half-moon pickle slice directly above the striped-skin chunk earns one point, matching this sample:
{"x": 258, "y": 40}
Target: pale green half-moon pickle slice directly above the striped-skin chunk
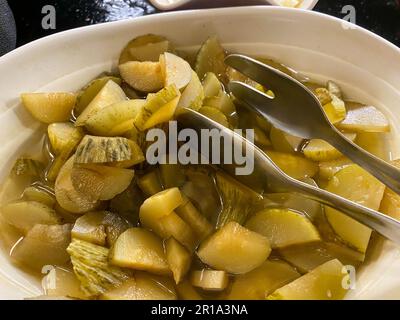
{"x": 116, "y": 119}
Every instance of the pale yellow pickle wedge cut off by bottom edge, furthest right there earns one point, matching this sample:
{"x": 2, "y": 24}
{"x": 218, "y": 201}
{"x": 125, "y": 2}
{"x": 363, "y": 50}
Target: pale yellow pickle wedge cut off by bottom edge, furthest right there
{"x": 323, "y": 283}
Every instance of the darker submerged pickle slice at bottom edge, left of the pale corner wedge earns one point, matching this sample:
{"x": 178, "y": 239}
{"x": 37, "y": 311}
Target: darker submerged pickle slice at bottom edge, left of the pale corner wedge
{"x": 262, "y": 281}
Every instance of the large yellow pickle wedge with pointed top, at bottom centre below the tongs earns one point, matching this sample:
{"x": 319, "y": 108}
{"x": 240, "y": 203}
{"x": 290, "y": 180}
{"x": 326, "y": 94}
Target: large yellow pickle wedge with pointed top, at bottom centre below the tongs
{"x": 234, "y": 249}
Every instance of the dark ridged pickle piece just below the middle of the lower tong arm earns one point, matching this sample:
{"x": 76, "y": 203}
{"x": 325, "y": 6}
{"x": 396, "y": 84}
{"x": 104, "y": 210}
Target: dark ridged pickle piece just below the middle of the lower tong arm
{"x": 237, "y": 200}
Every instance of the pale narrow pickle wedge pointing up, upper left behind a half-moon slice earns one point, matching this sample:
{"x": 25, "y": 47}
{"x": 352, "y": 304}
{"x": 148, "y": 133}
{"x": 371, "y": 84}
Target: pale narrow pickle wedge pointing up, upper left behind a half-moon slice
{"x": 110, "y": 93}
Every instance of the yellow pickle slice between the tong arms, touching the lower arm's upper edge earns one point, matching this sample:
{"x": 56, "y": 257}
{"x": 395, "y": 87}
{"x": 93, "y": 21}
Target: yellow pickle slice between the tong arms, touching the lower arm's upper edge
{"x": 293, "y": 165}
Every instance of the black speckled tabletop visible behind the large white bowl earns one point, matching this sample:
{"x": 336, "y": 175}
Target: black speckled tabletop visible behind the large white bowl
{"x": 379, "y": 16}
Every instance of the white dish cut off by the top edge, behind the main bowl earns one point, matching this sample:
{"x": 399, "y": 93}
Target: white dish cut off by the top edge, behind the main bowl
{"x": 174, "y": 4}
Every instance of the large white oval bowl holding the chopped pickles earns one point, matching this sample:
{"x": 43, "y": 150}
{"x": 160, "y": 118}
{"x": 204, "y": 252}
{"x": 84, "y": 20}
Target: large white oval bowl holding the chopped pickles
{"x": 323, "y": 47}
